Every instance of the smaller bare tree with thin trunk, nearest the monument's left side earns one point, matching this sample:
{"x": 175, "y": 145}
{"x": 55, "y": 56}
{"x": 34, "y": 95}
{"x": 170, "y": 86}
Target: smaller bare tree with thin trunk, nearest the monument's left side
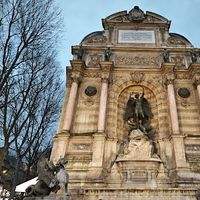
{"x": 36, "y": 109}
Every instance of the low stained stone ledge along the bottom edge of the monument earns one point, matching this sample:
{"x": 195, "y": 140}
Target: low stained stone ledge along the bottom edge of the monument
{"x": 139, "y": 194}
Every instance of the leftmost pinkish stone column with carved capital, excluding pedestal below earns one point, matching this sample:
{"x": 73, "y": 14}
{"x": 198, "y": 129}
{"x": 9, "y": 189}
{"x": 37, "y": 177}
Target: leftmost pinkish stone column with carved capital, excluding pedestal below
{"x": 77, "y": 70}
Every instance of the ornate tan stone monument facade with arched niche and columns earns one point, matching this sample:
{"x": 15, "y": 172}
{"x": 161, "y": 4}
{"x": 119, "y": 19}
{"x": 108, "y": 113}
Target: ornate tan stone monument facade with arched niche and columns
{"x": 130, "y": 123}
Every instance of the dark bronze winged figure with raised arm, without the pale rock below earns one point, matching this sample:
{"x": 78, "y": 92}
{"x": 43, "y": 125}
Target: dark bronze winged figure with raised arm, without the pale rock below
{"x": 138, "y": 111}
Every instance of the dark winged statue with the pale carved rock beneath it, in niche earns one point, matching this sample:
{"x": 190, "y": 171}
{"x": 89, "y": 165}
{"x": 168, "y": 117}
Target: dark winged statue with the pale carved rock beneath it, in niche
{"x": 141, "y": 138}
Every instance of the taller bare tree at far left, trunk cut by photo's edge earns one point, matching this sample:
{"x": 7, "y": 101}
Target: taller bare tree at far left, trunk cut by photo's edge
{"x": 28, "y": 33}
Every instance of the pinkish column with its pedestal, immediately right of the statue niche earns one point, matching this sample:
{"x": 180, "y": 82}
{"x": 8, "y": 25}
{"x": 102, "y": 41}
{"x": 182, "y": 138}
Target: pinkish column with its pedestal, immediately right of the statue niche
{"x": 176, "y": 138}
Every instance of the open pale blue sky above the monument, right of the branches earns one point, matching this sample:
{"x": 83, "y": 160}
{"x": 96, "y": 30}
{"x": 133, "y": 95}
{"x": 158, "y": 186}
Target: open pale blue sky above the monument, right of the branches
{"x": 81, "y": 17}
